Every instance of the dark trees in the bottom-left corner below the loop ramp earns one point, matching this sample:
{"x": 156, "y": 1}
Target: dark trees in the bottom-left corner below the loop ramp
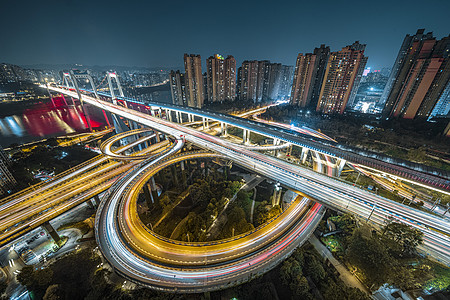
{"x": 77, "y": 276}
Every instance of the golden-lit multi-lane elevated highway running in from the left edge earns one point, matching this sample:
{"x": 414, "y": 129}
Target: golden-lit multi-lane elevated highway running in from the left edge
{"x": 29, "y": 209}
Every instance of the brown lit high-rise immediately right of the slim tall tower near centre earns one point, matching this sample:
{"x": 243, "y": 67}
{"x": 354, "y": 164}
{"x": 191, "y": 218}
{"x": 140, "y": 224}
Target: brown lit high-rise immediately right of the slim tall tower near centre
{"x": 221, "y": 78}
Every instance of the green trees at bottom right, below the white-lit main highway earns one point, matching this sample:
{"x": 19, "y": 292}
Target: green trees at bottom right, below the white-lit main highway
{"x": 389, "y": 256}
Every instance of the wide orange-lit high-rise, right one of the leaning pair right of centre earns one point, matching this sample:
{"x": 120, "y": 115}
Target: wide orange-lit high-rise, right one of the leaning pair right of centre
{"x": 341, "y": 79}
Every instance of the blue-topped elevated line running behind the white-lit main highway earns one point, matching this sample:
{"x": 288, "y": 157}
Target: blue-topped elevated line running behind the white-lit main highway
{"x": 430, "y": 177}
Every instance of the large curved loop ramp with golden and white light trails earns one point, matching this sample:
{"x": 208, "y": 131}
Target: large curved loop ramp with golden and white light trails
{"x": 141, "y": 255}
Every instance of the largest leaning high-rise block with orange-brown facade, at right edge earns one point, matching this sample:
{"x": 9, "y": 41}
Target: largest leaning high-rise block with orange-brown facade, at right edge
{"x": 421, "y": 77}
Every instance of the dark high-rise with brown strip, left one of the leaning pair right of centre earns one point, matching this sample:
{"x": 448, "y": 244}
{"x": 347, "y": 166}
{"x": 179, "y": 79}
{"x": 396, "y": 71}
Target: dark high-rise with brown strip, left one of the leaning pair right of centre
{"x": 308, "y": 77}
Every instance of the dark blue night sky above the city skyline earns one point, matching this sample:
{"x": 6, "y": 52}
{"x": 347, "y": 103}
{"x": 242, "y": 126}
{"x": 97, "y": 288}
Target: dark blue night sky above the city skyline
{"x": 158, "y": 33}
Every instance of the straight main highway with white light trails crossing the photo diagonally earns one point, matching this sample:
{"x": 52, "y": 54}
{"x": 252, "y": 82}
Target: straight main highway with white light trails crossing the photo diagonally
{"x": 324, "y": 189}
